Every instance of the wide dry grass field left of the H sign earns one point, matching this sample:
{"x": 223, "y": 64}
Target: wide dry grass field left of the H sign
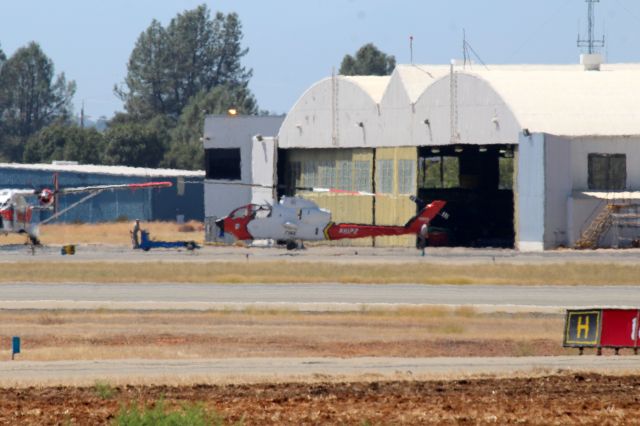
{"x": 417, "y": 332}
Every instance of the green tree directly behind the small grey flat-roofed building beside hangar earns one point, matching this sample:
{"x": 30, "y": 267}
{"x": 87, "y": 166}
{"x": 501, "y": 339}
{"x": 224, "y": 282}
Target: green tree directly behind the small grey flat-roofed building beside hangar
{"x": 185, "y": 151}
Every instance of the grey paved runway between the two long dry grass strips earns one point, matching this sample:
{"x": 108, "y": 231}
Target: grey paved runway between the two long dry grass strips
{"x": 311, "y": 297}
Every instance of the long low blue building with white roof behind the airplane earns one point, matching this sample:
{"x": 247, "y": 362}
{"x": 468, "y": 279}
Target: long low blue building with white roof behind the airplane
{"x": 184, "y": 199}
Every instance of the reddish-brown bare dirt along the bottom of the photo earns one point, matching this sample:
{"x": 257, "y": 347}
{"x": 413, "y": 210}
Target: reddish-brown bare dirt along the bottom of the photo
{"x": 562, "y": 399}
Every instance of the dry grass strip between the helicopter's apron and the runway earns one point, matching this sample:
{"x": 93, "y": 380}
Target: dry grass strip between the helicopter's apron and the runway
{"x": 310, "y": 272}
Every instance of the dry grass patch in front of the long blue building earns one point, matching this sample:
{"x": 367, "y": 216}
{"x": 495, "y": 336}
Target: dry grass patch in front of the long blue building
{"x": 115, "y": 233}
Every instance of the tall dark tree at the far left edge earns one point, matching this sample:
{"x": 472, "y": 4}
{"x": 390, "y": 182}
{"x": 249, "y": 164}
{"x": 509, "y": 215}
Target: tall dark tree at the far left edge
{"x": 31, "y": 97}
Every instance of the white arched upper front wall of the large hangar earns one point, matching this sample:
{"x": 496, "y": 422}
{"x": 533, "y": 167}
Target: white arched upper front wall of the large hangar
{"x": 483, "y": 117}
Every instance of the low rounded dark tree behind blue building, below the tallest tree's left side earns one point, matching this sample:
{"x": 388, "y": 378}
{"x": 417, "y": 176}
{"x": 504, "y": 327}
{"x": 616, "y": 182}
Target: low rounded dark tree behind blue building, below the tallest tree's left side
{"x": 133, "y": 144}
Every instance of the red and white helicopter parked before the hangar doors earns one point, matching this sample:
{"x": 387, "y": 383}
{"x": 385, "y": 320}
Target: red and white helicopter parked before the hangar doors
{"x": 297, "y": 219}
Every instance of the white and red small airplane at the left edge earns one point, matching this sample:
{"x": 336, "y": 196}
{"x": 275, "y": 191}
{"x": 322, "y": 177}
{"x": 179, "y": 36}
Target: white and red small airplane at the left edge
{"x": 16, "y": 213}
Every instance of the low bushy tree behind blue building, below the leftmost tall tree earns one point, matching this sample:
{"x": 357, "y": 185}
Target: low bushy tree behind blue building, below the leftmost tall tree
{"x": 60, "y": 141}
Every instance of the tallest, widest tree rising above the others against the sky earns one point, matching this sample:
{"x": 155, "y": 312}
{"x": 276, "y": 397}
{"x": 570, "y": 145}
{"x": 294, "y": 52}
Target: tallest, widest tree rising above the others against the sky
{"x": 194, "y": 54}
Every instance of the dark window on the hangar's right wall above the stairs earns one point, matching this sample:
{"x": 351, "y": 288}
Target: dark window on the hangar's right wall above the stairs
{"x": 607, "y": 171}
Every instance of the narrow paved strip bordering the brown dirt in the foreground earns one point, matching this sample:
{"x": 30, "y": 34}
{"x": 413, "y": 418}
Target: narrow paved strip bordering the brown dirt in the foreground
{"x": 312, "y": 369}
